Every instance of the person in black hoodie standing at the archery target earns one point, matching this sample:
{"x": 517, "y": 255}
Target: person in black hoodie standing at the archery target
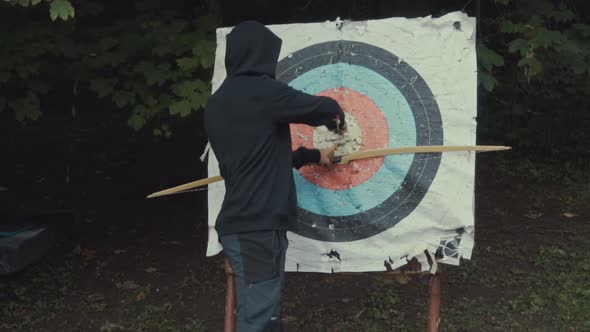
{"x": 247, "y": 120}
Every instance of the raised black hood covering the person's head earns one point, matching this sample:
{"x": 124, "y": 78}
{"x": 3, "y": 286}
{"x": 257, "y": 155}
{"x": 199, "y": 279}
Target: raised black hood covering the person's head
{"x": 252, "y": 49}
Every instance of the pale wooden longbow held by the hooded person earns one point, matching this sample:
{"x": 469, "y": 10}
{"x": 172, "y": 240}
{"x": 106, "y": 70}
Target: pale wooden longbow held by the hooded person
{"x": 348, "y": 158}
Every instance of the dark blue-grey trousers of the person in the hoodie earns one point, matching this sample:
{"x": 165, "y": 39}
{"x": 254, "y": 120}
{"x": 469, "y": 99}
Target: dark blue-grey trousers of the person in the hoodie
{"x": 258, "y": 262}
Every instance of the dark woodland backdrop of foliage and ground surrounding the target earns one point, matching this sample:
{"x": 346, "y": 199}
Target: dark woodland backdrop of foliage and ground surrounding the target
{"x": 101, "y": 103}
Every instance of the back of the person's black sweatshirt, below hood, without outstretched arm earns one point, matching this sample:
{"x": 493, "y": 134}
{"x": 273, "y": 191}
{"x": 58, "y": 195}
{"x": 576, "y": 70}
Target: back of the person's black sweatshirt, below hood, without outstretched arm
{"x": 254, "y": 156}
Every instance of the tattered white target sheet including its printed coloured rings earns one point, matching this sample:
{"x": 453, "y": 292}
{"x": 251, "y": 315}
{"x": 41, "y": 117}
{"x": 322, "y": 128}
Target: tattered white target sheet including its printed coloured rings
{"x": 402, "y": 82}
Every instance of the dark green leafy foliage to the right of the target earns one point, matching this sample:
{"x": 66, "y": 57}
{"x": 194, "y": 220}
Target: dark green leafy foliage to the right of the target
{"x": 533, "y": 100}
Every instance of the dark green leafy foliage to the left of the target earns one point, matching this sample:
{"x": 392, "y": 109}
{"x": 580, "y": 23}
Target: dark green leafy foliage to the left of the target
{"x": 153, "y": 64}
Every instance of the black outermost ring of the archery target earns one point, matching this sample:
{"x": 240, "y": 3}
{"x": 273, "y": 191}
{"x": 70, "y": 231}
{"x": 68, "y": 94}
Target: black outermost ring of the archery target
{"x": 428, "y": 132}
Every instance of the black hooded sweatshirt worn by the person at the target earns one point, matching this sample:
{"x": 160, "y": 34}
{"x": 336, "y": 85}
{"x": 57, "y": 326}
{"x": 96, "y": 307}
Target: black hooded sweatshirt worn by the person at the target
{"x": 247, "y": 122}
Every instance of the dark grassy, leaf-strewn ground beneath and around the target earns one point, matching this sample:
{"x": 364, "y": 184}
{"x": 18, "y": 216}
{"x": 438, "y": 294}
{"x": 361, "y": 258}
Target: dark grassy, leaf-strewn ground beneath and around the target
{"x": 140, "y": 266}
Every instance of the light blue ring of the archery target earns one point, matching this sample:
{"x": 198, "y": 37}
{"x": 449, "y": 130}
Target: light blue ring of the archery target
{"x": 400, "y": 121}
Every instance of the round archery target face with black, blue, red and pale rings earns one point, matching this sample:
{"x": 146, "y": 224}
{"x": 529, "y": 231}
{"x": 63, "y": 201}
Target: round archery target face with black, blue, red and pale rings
{"x": 387, "y": 104}
